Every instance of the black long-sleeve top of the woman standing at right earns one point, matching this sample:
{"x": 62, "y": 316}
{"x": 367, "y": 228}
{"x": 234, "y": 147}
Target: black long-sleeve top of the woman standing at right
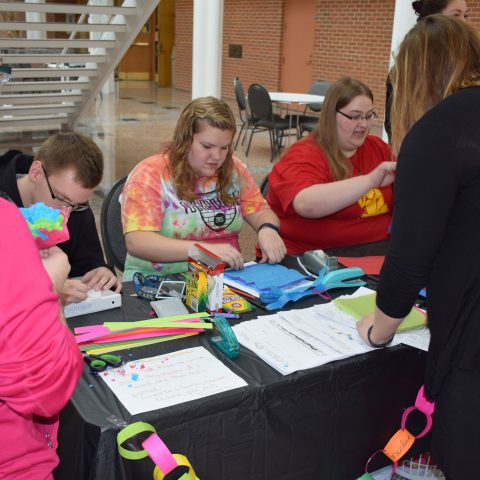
{"x": 436, "y": 233}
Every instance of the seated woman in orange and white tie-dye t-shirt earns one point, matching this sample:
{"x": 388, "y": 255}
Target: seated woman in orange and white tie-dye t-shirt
{"x": 196, "y": 191}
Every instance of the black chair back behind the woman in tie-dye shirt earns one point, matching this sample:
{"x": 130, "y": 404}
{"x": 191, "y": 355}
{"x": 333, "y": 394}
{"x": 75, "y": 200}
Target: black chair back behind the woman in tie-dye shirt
{"x": 113, "y": 239}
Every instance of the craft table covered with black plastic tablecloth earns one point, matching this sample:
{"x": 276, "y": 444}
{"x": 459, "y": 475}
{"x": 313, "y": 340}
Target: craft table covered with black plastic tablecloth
{"x": 320, "y": 423}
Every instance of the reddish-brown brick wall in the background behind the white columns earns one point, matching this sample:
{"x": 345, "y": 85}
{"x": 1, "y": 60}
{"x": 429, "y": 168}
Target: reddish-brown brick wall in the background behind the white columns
{"x": 352, "y": 37}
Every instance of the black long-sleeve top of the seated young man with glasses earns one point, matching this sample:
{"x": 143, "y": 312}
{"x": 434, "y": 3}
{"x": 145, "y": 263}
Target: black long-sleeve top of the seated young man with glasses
{"x": 84, "y": 250}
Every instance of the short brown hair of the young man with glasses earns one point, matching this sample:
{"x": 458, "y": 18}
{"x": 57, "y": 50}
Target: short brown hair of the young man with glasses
{"x": 69, "y": 149}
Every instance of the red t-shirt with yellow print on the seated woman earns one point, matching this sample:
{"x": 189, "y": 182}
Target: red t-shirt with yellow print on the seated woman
{"x": 304, "y": 165}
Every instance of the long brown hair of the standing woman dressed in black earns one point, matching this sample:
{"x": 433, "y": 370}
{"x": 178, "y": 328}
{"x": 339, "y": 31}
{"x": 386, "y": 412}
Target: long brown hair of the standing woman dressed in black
{"x": 439, "y": 56}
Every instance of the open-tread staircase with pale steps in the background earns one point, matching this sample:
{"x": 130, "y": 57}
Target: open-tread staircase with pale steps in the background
{"x": 54, "y": 80}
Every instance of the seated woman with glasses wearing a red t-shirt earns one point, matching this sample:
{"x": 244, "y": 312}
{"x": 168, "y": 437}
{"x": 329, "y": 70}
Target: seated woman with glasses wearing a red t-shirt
{"x": 334, "y": 187}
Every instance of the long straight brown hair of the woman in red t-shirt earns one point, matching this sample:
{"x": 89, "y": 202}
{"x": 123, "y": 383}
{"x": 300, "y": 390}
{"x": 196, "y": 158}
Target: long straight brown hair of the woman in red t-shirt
{"x": 340, "y": 94}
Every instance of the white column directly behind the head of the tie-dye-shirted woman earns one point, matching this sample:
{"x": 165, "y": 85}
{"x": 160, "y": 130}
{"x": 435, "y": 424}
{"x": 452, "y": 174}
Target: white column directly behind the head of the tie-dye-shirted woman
{"x": 207, "y": 48}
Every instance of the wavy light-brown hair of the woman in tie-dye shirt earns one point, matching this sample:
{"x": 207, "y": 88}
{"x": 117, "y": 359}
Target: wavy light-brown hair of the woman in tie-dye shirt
{"x": 202, "y": 111}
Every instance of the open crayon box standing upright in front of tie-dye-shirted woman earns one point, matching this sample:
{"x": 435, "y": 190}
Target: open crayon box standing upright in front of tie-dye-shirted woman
{"x": 204, "y": 289}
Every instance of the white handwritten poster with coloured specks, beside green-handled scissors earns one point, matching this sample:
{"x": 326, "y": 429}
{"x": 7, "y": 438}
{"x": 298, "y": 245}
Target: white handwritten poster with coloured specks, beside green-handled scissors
{"x": 159, "y": 382}
